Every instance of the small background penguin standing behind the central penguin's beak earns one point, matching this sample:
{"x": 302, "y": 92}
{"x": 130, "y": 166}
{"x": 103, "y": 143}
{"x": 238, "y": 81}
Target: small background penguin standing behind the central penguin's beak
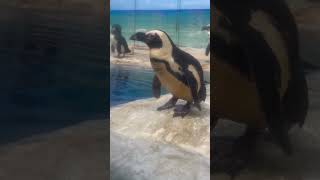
{"x": 118, "y": 42}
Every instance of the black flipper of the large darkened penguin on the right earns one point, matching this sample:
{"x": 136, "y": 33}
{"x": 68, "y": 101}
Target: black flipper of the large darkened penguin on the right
{"x": 266, "y": 69}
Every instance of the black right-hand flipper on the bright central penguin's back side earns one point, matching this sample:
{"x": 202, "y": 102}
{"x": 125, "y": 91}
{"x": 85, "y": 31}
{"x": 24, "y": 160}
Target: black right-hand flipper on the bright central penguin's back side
{"x": 192, "y": 83}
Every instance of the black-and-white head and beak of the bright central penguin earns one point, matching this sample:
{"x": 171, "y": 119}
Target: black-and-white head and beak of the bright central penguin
{"x": 158, "y": 41}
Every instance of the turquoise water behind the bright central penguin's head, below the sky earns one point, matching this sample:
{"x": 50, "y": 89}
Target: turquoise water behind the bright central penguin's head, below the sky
{"x": 183, "y": 26}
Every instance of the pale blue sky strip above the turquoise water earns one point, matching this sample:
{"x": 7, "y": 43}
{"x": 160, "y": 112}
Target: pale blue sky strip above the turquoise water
{"x": 158, "y": 4}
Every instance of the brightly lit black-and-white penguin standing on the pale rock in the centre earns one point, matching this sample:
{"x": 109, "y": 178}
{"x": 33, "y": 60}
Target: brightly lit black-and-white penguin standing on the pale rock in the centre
{"x": 179, "y": 72}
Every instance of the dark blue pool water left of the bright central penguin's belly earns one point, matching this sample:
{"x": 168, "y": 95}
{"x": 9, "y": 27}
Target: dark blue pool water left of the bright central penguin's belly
{"x": 128, "y": 83}
